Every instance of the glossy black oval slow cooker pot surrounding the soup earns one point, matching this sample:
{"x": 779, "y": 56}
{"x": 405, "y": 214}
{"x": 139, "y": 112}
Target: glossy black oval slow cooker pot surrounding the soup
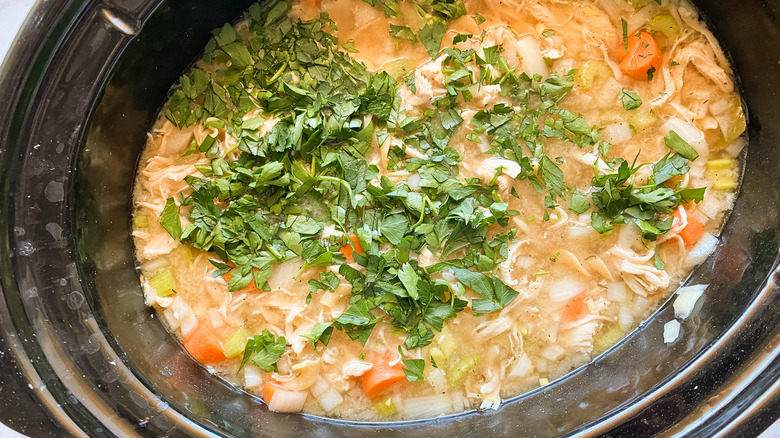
{"x": 80, "y": 354}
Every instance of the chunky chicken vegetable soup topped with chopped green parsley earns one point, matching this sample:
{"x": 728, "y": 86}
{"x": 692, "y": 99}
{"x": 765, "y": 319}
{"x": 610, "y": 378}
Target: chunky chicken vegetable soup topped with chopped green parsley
{"x": 383, "y": 210}
